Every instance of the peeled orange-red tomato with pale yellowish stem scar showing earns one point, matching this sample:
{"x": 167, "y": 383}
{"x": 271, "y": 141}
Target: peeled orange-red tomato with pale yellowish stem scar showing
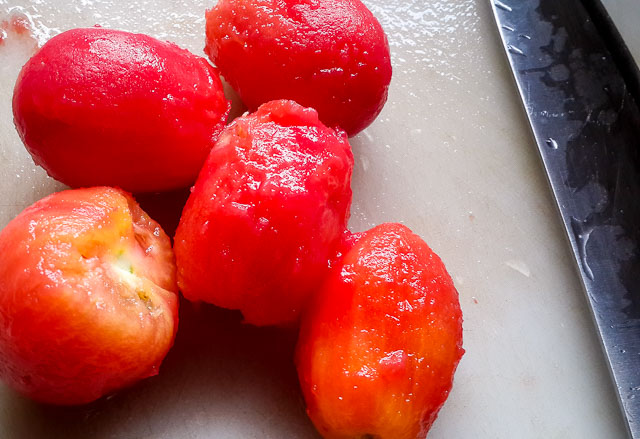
{"x": 88, "y": 296}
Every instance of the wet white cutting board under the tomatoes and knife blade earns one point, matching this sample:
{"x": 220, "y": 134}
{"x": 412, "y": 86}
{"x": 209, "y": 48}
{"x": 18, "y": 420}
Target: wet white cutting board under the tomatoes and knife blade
{"x": 451, "y": 157}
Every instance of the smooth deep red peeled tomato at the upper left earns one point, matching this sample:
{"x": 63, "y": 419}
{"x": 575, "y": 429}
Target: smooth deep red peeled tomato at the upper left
{"x": 105, "y": 107}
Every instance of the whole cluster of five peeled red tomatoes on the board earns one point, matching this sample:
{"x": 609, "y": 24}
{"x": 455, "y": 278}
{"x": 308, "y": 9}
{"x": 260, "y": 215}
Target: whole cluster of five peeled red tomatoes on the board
{"x": 88, "y": 279}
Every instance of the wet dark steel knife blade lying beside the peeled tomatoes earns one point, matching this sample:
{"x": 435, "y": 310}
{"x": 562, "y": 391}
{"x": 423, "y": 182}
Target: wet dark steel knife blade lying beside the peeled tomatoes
{"x": 581, "y": 92}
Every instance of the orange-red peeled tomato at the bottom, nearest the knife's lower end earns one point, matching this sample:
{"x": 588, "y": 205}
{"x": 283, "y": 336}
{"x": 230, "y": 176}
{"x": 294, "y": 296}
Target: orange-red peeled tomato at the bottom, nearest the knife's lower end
{"x": 380, "y": 342}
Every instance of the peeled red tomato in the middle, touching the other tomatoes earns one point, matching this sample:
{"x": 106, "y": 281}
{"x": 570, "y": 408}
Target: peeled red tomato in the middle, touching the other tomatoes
{"x": 266, "y": 213}
